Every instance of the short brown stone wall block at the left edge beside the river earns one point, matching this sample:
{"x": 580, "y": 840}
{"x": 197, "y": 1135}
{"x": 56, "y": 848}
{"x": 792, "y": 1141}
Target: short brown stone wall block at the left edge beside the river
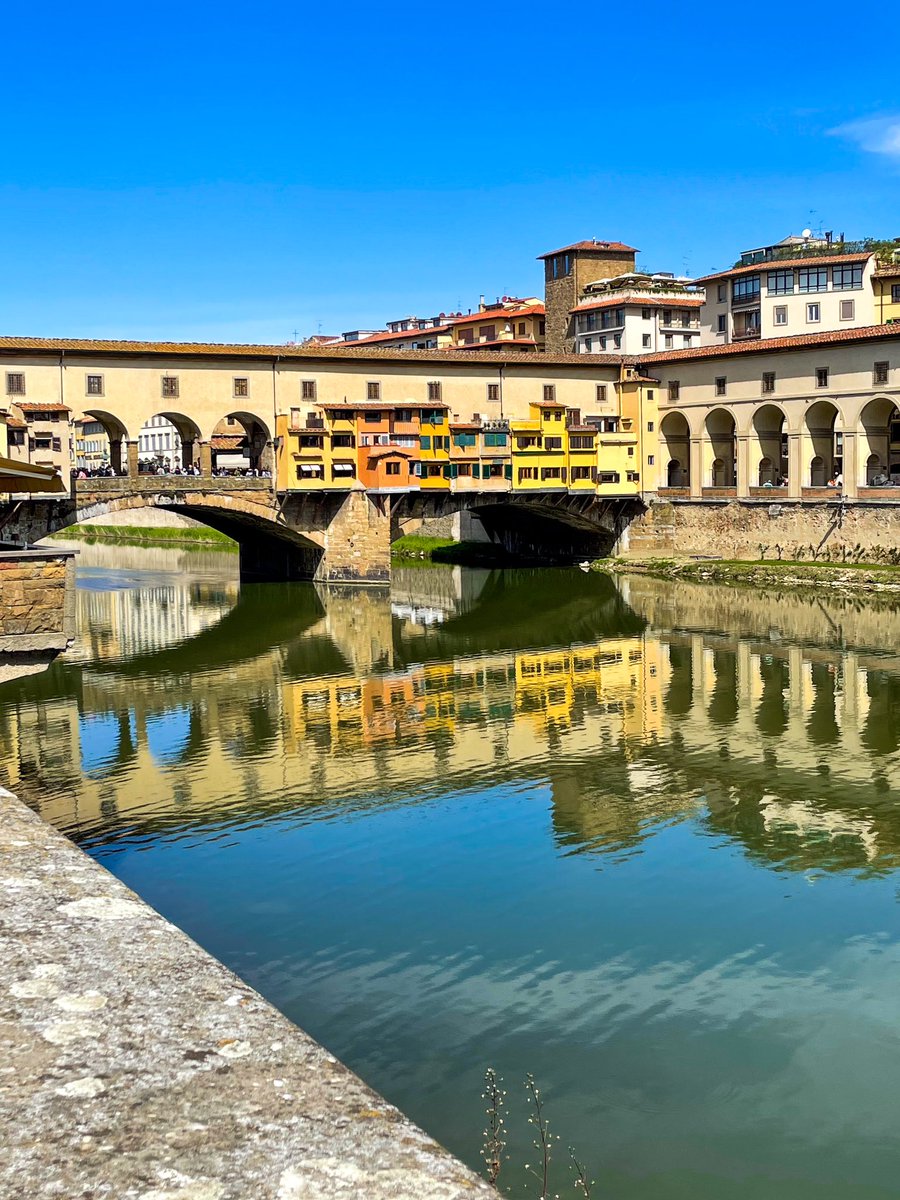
{"x": 37, "y": 601}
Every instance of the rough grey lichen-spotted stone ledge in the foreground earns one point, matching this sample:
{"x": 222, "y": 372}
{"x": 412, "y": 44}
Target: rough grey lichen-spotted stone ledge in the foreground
{"x": 134, "y": 1066}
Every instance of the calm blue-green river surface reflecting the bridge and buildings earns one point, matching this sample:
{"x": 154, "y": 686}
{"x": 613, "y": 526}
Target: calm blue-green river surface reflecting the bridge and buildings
{"x": 639, "y": 839}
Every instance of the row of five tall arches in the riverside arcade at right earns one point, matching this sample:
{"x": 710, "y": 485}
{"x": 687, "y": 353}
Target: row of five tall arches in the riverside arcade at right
{"x": 820, "y": 435}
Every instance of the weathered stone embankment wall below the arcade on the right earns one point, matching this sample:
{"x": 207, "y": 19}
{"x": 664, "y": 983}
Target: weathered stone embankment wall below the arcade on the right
{"x": 737, "y": 530}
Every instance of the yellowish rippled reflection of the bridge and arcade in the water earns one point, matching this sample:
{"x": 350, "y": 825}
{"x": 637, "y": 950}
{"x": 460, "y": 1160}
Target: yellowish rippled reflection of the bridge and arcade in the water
{"x": 779, "y": 727}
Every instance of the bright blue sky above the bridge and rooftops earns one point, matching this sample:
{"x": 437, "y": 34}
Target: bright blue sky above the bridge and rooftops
{"x": 243, "y": 172}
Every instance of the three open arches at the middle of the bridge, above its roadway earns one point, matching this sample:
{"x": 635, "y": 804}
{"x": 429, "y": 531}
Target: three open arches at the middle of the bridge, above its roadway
{"x": 238, "y": 433}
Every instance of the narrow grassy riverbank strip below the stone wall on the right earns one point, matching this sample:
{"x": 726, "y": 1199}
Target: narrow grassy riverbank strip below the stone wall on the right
{"x": 845, "y": 578}
